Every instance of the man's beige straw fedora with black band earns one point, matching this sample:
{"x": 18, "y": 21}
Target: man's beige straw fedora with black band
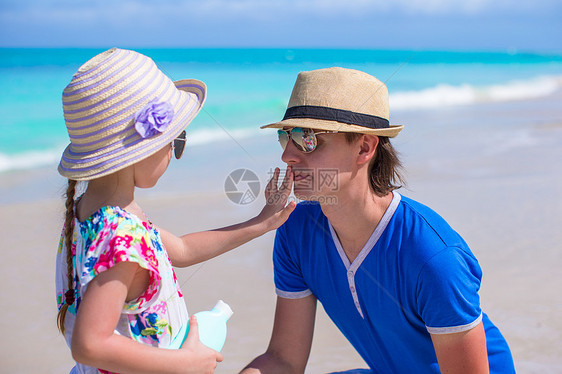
{"x": 338, "y": 99}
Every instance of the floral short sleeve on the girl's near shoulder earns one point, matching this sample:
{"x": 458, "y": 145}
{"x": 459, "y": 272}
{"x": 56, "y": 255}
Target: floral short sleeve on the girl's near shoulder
{"x": 123, "y": 240}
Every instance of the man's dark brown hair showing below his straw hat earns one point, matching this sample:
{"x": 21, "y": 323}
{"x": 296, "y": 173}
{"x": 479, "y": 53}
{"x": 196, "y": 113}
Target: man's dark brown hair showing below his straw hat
{"x": 385, "y": 168}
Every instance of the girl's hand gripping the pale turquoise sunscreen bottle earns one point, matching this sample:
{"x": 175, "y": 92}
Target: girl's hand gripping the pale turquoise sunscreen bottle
{"x": 204, "y": 359}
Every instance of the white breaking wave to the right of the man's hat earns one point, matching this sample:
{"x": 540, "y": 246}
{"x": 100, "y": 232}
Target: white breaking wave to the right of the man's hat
{"x": 444, "y": 95}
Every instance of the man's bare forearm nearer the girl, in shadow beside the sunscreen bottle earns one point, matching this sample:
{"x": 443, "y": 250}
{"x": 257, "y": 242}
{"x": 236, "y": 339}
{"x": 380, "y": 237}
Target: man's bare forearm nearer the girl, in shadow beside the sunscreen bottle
{"x": 291, "y": 338}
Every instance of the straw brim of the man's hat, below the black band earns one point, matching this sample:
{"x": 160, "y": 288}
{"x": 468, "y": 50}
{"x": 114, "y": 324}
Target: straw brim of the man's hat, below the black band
{"x": 326, "y": 125}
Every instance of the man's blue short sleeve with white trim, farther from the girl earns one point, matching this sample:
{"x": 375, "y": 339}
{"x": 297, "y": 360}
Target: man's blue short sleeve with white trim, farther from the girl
{"x": 448, "y": 285}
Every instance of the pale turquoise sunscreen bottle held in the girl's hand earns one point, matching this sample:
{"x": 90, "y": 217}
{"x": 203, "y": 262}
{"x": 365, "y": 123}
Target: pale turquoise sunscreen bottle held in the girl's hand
{"x": 212, "y": 327}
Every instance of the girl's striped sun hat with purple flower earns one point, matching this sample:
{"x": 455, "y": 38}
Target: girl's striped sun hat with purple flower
{"x": 119, "y": 108}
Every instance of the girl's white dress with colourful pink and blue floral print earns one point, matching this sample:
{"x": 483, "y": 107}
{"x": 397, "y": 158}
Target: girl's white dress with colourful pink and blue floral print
{"x": 109, "y": 236}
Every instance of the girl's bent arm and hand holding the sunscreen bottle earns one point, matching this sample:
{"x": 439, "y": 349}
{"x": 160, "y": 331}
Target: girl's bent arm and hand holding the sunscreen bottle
{"x": 94, "y": 342}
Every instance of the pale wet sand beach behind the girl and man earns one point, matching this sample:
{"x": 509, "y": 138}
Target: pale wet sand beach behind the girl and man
{"x": 493, "y": 171}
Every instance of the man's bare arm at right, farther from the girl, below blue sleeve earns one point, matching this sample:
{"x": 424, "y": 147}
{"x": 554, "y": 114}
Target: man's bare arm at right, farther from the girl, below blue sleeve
{"x": 463, "y": 352}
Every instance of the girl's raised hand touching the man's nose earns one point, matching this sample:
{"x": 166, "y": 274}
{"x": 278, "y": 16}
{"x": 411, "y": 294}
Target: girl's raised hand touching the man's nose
{"x": 276, "y": 210}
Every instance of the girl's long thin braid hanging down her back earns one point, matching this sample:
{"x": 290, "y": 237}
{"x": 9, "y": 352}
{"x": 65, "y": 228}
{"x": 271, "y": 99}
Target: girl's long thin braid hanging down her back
{"x": 68, "y": 231}
